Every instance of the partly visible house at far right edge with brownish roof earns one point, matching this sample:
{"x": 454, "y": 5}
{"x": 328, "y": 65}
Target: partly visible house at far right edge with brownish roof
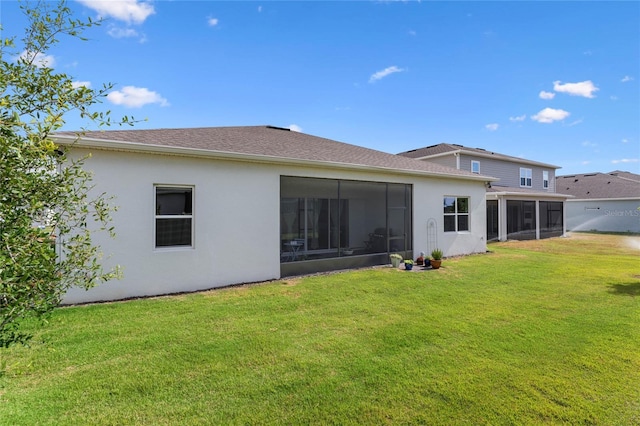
{"x": 608, "y": 202}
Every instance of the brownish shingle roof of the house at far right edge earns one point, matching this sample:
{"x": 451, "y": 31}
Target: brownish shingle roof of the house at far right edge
{"x": 616, "y": 184}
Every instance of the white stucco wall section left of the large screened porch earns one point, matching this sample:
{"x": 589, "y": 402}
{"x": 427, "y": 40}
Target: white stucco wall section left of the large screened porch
{"x": 235, "y": 225}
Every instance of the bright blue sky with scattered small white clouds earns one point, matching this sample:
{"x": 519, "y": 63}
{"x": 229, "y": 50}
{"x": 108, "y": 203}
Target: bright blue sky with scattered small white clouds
{"x": 549, "y": 81}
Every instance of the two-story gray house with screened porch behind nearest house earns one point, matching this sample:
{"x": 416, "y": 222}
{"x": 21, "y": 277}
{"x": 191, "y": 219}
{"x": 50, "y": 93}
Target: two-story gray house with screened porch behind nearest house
{"x": 521, "y": 205}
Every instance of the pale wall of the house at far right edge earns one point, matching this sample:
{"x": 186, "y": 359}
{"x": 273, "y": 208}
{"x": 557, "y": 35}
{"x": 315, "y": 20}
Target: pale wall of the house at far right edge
{"x": 603, "y": 215}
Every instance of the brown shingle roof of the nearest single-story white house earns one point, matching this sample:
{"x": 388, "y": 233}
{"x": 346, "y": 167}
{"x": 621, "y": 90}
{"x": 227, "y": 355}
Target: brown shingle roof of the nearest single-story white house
{"x": 269, "y": 142}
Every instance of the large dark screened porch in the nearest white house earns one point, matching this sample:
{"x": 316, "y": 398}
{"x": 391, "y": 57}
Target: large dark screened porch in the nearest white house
{"x": 328, "y": 224}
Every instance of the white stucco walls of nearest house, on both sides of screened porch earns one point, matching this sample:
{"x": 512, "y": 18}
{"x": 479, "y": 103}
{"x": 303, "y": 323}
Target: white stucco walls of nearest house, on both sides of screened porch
{"x": 237, "y": 216}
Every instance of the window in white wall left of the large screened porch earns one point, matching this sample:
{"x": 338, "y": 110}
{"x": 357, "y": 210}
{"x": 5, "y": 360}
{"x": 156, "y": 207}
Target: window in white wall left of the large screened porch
{"x": 174, "y": 216}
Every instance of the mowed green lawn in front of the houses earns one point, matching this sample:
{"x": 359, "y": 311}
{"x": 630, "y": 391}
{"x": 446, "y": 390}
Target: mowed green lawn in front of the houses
{"x": 534, "y": 332}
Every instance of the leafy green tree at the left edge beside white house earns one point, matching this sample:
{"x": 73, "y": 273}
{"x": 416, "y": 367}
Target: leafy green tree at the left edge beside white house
{"x": 48, "y": 210}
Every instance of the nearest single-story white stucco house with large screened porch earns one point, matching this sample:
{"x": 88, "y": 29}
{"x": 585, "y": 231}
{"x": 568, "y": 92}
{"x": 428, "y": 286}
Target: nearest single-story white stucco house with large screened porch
{"x": 209, "y": 207}
